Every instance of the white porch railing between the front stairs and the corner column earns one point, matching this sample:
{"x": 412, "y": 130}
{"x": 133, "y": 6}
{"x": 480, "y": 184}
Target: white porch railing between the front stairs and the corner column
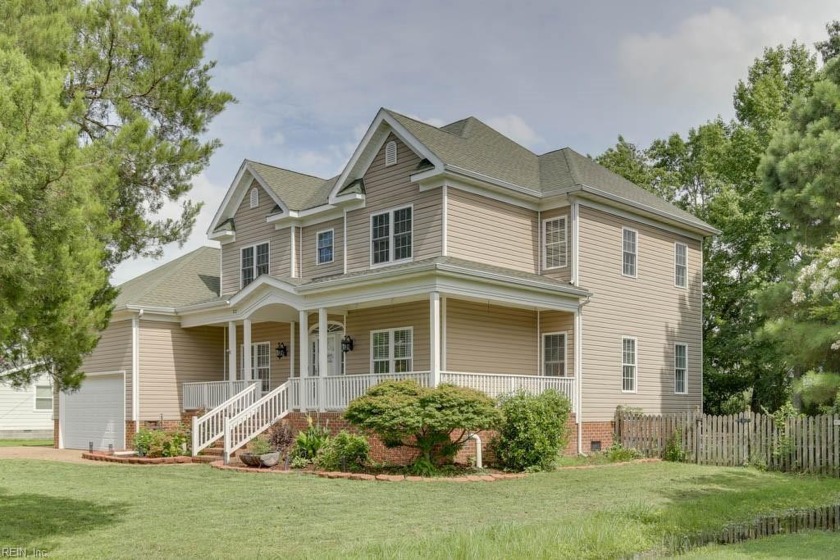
{"x": 338, "y": 390}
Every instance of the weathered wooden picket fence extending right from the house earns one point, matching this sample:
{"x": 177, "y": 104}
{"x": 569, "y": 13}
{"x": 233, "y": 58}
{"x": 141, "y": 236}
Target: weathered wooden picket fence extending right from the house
{"x": 799, "y": 444}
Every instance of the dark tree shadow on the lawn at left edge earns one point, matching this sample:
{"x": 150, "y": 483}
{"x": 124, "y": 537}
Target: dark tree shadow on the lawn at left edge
{"x": 29, "y": 520}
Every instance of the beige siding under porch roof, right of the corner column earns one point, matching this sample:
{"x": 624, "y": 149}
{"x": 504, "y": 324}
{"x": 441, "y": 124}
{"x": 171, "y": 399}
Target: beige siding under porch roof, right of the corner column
{"x": 486, "y": 338}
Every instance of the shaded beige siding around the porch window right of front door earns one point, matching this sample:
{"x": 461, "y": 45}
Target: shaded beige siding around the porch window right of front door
{"x": 361, "y": 322}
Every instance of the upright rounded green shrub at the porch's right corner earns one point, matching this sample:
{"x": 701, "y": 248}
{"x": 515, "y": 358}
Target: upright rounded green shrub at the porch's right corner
{"x": 533, "y": 432}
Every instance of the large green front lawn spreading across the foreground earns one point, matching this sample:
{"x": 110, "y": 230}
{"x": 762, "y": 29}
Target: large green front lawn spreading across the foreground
{"x": 117, "y": 511}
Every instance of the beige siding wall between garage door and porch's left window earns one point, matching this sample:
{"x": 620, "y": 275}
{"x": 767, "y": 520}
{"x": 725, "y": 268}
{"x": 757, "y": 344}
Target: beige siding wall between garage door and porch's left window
{"x": 171, "y": 356}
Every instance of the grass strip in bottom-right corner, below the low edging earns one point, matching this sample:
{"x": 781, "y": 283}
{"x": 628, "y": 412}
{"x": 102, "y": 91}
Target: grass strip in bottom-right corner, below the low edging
{"x": 812, "y": 546}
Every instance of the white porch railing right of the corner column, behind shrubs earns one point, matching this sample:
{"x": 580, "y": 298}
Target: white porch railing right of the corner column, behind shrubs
{"x": 495, "y": 384}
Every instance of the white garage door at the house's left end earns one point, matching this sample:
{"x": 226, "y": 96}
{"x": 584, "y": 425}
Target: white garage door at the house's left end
{"x": 95, "y": 413}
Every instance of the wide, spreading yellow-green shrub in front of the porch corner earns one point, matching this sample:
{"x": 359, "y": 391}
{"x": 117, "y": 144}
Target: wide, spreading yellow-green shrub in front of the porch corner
{"x": 403, "y": 413}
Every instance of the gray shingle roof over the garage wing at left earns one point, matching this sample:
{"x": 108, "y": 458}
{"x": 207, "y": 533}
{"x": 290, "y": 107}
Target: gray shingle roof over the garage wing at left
{"x": 187, "y": 280}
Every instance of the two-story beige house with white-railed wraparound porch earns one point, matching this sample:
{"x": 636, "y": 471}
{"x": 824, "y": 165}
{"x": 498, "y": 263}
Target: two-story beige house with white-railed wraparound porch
{"x": 445, "y": 255}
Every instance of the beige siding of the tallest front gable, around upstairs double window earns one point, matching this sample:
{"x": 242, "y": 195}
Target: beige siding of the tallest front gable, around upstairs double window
{"x": 387, "y": 188}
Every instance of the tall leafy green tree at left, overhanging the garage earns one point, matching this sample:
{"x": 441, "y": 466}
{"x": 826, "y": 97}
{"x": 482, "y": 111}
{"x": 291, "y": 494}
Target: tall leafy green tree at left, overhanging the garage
{"x": 102, "y": 107}
